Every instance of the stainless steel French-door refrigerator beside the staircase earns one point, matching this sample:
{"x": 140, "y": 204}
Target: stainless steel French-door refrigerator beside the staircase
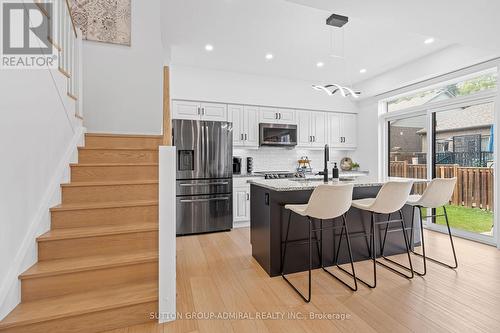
{"x": 204, "y": 189}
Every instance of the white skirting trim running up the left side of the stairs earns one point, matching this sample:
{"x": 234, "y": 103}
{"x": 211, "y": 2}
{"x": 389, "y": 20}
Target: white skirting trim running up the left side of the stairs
{"x": 11, "y": 282}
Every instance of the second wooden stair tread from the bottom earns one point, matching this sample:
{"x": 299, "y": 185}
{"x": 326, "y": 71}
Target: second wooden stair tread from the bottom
{"x": 79, "y": 264}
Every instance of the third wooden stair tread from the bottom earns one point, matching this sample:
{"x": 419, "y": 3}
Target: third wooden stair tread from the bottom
{"x": 104, "y": 230}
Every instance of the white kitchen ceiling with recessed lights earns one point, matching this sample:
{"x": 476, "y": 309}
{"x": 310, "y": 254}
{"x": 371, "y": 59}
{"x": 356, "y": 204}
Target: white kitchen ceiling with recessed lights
{"x": 243, "y": 31}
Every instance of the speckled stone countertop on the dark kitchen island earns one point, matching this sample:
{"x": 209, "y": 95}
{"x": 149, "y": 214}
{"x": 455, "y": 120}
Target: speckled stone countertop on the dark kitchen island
{"x": 297, "y": 184}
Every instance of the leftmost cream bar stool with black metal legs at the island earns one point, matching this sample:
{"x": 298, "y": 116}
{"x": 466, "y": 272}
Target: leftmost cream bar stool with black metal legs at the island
{"x": 327, "y": 202}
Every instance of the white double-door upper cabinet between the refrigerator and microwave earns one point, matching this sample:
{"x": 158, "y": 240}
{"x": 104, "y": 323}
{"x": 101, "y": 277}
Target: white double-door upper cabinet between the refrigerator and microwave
{"x": 245, "y": 121}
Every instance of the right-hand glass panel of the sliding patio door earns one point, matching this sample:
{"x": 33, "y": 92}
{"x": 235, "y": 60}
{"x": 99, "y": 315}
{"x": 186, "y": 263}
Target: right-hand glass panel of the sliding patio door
{"x": 463, "y": 147}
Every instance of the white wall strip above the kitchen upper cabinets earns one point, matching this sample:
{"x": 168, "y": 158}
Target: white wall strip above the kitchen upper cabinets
{"x": 230, "y": 87}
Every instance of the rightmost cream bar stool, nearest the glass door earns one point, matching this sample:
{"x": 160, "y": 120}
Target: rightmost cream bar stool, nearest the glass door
{"x": 437, "y": 194}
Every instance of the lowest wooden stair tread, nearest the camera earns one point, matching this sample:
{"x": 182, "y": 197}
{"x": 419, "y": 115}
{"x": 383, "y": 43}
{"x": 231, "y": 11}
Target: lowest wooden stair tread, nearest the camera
{"x": 78, "y": 304}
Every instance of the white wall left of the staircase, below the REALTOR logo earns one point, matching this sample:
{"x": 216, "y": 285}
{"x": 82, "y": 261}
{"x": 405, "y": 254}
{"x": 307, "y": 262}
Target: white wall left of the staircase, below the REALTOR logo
{"x": 38, "y": 137}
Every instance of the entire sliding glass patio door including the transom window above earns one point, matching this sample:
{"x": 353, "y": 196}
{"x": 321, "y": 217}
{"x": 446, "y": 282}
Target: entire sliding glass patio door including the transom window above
{"x": 447, "y": 131}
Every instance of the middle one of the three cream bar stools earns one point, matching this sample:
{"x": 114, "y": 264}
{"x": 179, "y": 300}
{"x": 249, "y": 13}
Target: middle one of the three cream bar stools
{"x": 390, "y": 199}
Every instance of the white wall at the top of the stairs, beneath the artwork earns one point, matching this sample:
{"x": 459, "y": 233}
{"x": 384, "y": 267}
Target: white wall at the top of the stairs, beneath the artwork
{"x": 123, "y": 85}
